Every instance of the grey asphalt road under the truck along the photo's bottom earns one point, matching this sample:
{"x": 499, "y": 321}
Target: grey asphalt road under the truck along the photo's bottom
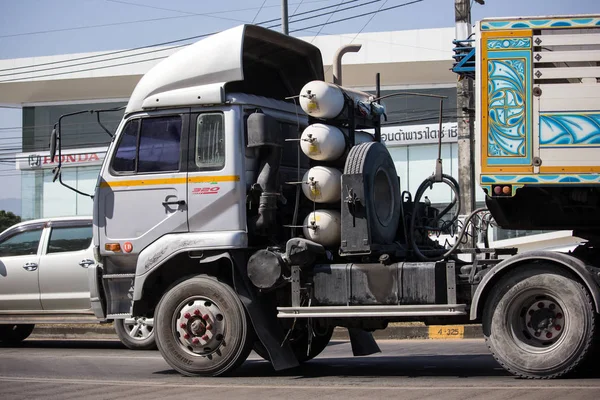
{"x": 410, "y": 369}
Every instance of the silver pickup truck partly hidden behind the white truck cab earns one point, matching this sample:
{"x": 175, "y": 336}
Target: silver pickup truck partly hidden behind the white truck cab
{"x": 44, "y": 279}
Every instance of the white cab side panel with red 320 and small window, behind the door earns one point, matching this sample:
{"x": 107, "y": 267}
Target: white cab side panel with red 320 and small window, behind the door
{"x": 216, "y": 190}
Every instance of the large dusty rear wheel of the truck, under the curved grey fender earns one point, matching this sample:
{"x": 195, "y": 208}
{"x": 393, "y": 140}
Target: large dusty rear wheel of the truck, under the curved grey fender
{"x": 539, "y": 322}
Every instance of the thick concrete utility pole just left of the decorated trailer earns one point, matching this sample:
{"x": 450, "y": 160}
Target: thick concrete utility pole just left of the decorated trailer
{"x": 465, "y": 114}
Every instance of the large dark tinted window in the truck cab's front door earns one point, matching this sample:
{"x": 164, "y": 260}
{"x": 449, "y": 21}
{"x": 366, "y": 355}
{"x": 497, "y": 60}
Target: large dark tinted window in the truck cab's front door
{"x": 149, "y": 145}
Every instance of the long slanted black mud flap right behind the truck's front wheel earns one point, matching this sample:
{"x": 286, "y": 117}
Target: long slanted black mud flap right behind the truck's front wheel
{"x": 265, "y": 323}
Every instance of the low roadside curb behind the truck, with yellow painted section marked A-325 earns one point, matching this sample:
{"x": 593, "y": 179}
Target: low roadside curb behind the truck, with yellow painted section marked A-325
{"x": 107, "y": 332}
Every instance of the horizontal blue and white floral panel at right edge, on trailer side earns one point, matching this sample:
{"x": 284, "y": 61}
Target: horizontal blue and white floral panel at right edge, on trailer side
{"x": 570, "y": 129}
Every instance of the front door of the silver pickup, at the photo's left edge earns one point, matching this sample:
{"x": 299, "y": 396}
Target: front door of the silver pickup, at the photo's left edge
{"x": 19, "y": 259}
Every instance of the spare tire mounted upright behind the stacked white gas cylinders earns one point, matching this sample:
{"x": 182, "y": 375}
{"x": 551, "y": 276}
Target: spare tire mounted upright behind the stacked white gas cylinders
{"x": 382, "y": 188}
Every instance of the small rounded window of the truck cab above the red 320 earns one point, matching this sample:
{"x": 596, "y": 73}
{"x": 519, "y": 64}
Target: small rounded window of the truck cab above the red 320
{"x": 210, "y": 141}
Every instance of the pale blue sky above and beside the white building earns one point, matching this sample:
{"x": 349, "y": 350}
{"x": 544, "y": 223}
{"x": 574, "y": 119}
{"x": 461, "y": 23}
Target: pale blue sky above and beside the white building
{"x": 30, "y": 28}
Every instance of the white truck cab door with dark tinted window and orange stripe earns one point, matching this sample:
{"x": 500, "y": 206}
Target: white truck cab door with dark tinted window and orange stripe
{"x": 142, "y": 188}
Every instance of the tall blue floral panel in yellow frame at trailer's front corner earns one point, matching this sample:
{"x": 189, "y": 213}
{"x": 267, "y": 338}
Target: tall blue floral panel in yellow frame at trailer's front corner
{"x": 509, "y": 102}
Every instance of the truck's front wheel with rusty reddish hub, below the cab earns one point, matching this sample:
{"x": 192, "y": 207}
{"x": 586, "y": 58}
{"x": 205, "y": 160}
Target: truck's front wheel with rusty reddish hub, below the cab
{"x": 201, "y": 328}
